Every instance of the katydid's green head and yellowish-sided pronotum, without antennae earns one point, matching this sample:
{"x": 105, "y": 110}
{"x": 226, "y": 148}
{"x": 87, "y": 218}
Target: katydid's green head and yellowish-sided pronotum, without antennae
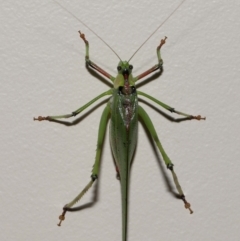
{"x": 124, "y": 80}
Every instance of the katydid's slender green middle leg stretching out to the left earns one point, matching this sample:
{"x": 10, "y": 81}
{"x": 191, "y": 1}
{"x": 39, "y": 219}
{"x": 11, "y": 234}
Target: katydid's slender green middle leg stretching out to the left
{"x": 76, "y": 112}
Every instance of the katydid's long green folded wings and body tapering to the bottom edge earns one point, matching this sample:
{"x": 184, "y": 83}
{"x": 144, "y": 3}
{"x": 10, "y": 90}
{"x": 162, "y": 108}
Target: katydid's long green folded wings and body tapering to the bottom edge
{"x": 123, "y": 139}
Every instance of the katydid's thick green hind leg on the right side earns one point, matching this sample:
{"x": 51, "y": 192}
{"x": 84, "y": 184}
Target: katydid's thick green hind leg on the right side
{"x": 150, "y": 127}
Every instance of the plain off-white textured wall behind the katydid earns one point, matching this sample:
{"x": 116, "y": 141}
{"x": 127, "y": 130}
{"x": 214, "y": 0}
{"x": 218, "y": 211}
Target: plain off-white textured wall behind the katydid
{"x": 44, "y": 165}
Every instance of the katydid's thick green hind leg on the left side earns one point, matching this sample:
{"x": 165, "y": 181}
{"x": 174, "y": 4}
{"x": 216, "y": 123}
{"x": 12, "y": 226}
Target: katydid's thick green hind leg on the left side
{"x": 95, "y": 170}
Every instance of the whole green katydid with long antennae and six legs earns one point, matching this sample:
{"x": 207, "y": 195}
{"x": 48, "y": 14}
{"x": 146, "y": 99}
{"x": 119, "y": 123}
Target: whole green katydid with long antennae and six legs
{"x": 123, "y": 111}
